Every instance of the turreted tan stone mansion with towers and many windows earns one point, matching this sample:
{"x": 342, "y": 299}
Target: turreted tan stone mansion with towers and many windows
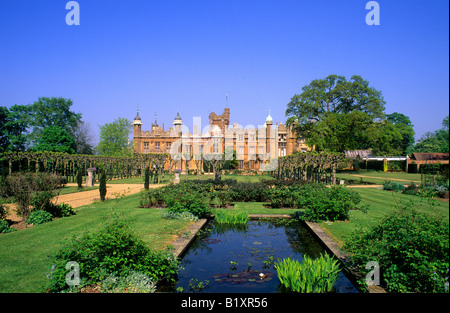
{"x": 255, "y": 147}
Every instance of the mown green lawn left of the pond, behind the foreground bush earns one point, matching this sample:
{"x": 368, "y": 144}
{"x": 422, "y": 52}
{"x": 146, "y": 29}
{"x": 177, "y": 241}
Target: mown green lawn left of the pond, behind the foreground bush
{"x": 26, "y": 255}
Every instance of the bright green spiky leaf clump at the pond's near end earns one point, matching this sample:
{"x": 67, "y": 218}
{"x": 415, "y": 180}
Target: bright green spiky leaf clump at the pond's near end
{"x": 311, "y": 276}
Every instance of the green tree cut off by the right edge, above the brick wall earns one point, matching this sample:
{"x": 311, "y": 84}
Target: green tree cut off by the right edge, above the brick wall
{"x": 437, "y": 141}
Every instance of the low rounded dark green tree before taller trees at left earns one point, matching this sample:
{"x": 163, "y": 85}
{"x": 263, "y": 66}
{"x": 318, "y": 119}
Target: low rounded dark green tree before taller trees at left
{"x": 55, "y": 139}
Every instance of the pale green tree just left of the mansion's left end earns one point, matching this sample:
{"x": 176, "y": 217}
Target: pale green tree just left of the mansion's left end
{"x": 114, "y": 138}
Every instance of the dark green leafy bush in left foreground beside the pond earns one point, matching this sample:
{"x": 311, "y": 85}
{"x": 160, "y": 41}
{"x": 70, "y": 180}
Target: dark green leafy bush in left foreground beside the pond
{"x": 115, "y": 249}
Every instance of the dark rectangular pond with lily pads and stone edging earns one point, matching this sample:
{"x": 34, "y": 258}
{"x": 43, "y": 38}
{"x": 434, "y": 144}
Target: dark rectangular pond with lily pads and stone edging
{"x": 232, "y": 258}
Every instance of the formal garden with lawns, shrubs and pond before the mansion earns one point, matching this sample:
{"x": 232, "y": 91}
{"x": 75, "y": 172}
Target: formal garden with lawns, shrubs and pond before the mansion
{"x": 124, "y": 242}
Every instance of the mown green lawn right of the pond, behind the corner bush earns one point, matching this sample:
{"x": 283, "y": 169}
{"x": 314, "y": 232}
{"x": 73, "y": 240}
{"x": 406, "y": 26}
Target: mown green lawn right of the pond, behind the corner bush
{"x": 380, "y": 202}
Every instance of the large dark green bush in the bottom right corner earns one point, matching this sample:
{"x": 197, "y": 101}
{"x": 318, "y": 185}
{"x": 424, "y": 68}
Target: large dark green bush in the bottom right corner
{"x": 412, "y": 249}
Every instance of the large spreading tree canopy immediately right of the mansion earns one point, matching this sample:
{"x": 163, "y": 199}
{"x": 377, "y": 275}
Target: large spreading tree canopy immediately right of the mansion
{"x": 336, "y": 115}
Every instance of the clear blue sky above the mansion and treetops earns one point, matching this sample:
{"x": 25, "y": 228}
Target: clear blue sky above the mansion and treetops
{"x": 184, "y": 56}
